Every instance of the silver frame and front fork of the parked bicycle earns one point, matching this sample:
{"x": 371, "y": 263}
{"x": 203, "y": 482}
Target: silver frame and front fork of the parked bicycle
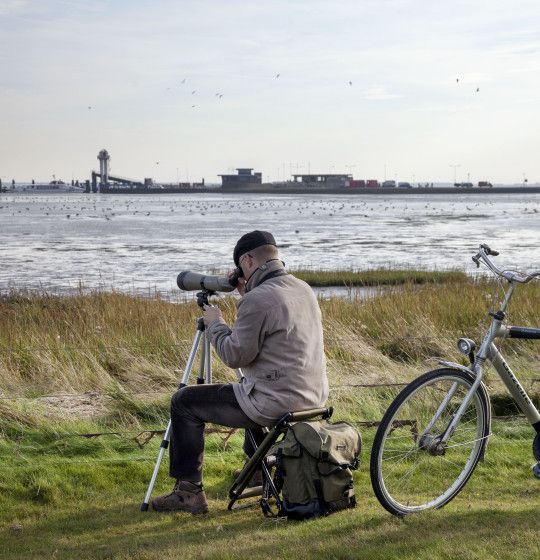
{"x": 488, "y": 351}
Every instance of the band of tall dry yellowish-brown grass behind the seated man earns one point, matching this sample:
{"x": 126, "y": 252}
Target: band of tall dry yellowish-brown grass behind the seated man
{"x": 108, "y": 342}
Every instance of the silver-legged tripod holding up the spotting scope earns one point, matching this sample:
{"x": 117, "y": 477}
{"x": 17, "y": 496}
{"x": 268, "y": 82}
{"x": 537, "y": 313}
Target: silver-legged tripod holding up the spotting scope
{"x": 205, "y": 376}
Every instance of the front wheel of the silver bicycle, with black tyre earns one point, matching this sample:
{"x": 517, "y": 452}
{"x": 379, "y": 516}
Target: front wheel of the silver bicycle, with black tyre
{"x": 411, "y": 470}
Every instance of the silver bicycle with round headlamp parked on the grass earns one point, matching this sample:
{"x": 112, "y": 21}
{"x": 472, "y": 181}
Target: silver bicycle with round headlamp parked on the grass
{"x": 448, "y": 418}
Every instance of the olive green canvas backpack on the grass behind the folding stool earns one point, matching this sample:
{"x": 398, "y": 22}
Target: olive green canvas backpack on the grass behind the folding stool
{"x": 313, "y": 464}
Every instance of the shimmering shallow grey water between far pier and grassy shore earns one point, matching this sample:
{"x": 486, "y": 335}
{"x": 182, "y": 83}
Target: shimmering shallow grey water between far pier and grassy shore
{"x": 138, "y": 243}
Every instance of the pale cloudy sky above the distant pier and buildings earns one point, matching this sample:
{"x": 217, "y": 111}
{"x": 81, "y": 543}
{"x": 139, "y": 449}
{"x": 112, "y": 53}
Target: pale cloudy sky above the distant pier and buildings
{"x": 405, "y": 115}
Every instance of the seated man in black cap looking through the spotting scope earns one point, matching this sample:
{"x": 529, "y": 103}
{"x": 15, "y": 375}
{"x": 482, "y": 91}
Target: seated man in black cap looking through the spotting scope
{"x": 277, "y": 340}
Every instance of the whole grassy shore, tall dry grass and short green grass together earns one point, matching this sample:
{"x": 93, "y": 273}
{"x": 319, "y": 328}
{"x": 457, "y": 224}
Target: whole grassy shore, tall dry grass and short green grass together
{"x": 106, "y": 363}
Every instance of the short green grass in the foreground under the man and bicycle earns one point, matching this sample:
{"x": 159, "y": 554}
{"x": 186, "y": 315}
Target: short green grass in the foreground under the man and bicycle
{"x": 65, "y": 499}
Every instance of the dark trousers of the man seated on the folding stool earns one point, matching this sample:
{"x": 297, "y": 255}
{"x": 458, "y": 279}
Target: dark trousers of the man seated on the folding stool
{"x": 191, "y": 407}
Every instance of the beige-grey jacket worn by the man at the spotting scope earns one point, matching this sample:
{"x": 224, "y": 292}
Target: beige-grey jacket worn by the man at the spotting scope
{"x": 277, "y": 340}
